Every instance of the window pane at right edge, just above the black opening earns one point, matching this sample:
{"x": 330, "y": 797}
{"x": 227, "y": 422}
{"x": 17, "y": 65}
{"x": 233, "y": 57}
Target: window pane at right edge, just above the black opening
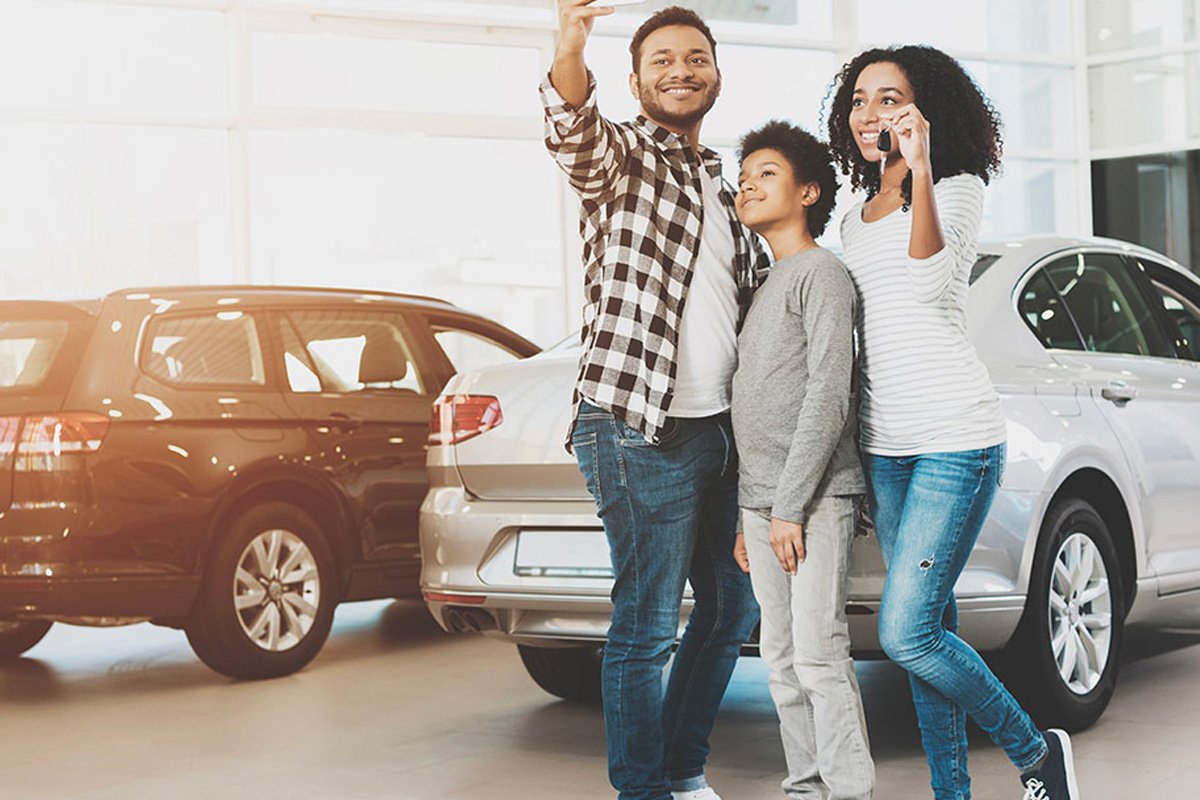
{"x": 1148, "y": 101}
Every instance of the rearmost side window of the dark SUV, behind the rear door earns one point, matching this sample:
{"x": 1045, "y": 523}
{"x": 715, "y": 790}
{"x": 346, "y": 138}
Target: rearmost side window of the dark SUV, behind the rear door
{"x": 219, "y": 348}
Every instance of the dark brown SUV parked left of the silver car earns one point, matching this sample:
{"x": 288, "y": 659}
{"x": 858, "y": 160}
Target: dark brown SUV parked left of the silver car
{"x": 233, "y": 461}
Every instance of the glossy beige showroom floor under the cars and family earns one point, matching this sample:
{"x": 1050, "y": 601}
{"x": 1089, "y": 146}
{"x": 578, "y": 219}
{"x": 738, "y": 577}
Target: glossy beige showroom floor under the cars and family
{"x": 394, "y": 708}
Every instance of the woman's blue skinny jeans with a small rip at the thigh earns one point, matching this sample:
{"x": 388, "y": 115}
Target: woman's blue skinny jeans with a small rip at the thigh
{"x": 929, "y": 510}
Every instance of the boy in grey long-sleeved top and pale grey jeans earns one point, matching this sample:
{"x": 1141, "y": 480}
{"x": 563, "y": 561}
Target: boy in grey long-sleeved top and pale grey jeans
{"x": 801, "y": 477}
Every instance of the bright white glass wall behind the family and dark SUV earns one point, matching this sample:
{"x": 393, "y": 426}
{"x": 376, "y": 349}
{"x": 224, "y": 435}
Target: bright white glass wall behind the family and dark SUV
{"x": 397, "y": 145}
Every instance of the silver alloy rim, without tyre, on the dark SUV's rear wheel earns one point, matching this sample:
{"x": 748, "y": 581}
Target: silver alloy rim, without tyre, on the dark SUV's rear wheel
{"x": 277, "y": 591}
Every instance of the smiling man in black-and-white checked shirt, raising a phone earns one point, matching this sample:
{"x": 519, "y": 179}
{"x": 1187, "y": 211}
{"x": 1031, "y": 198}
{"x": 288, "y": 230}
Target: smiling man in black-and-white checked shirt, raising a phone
{"x": 668, "y": 273}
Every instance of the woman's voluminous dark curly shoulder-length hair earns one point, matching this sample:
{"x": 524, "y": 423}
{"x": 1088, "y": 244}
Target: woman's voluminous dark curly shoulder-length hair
{"x": 964, "y": 134}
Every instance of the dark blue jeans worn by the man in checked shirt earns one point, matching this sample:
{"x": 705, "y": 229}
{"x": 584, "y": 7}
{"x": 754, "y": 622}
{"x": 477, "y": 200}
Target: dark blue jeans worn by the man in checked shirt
{"x": 670, "y": 514}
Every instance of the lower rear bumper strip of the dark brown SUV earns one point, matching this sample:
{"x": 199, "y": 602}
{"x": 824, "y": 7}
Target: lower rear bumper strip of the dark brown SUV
{"x": 91, "y": 598}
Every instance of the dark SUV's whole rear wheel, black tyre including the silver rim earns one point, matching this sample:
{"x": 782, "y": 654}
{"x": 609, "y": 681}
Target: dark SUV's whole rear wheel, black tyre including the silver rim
{"x": 267, "y": 600}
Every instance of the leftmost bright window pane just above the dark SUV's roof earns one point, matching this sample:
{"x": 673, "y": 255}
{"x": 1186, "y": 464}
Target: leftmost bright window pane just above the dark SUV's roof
{"x": 87, "y": 209}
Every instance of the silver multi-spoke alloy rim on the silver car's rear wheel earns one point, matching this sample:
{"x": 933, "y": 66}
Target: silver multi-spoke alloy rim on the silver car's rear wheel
{"x": 1081, "y": 613}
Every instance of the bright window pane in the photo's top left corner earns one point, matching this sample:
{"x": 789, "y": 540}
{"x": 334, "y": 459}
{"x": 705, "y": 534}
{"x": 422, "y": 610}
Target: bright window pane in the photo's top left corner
{"x": 112, "y": 59}
